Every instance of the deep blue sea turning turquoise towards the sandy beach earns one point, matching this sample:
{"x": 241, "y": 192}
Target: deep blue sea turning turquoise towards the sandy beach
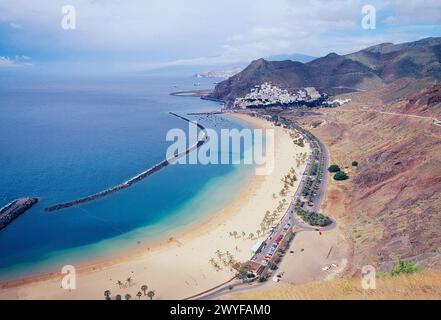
{"x": 61, "y": 139}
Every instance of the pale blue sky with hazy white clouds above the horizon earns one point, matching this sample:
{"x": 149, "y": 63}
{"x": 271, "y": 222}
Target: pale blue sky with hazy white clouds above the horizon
{"x": 137, "y": 36}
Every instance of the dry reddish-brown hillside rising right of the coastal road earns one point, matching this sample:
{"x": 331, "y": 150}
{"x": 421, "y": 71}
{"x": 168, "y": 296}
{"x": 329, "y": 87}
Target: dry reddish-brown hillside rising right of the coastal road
{"x": 390, "y": 206}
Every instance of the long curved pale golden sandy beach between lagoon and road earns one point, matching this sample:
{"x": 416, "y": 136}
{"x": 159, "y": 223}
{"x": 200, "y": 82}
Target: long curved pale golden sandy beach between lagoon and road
{"x": 180, "y": 267}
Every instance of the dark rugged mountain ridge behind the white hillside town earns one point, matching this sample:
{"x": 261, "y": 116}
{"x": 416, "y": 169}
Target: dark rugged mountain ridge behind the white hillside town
{"x": 364, "y": 70}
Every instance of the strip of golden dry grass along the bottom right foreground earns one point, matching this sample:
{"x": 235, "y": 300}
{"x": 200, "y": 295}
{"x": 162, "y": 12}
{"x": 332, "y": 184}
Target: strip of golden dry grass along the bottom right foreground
{"x": 425, "y": 285}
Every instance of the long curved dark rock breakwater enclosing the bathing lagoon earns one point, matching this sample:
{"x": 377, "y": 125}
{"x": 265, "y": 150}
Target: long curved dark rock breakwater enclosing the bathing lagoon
{"x": 139, "y": 176}
